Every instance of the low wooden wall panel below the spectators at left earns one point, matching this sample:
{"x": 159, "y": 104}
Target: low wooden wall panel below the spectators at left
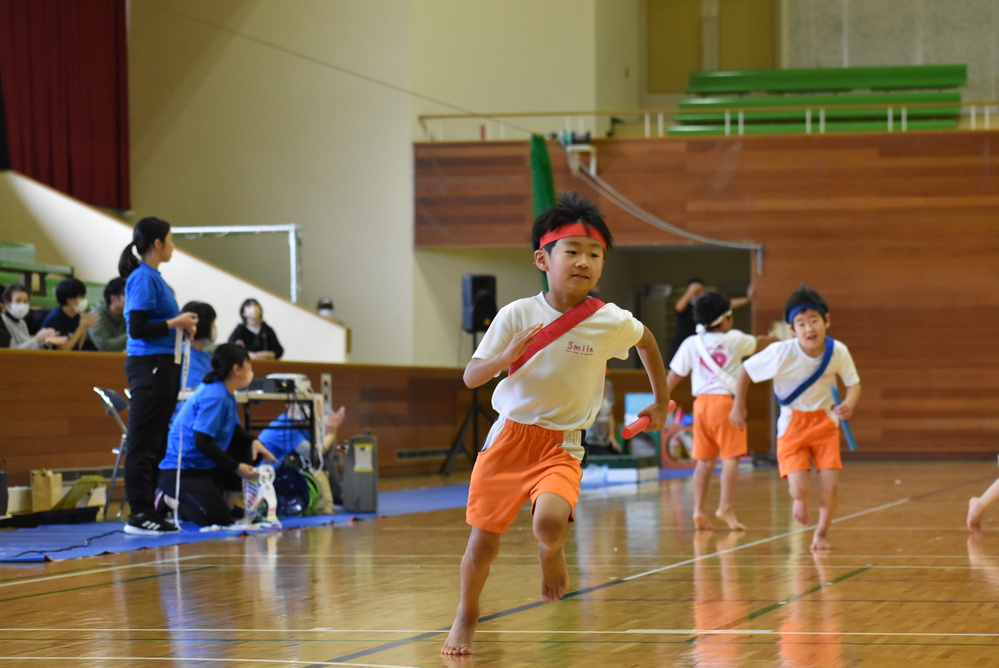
{"x": 51, "y": 418}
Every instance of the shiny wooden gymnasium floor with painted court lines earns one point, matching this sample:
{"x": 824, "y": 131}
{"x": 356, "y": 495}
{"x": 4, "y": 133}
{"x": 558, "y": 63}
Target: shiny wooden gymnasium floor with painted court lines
{"x": 904, "y": 585}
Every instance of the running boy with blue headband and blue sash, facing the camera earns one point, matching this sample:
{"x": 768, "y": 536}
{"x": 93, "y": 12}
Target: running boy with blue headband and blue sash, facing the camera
{"x": 804, "y": 370}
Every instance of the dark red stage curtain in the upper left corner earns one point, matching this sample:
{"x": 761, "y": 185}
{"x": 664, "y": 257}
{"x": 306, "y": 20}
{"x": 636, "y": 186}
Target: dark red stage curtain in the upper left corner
{"x": 63, "y": 71}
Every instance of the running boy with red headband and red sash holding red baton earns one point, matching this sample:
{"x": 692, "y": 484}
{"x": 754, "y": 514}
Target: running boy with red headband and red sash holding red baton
{"x": 556, "y": 346}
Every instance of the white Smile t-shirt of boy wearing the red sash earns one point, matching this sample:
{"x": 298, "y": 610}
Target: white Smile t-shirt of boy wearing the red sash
{"x": 561, "y": 386}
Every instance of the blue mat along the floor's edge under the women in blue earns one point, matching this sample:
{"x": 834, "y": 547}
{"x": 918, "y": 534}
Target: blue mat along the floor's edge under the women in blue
{"x": 57, "y": 542}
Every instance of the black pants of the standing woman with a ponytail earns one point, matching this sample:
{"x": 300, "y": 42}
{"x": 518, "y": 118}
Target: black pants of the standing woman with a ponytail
{"x": 154, "y": 381}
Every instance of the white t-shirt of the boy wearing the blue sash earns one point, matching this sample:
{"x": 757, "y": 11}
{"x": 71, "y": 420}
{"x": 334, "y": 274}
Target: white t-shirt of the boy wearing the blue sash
{"x": 789, "y": 366}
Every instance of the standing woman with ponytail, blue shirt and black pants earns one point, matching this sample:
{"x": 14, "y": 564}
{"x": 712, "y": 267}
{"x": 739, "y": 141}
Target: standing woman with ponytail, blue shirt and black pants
{"x": 153, "y": 373}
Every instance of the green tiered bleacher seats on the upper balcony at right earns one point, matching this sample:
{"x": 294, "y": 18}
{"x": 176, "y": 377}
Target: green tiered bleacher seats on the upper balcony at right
{"x": 849, "y": 99}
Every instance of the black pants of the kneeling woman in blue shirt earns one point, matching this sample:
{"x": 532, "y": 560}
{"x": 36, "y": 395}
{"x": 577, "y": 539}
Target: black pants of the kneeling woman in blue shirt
{"x": 203, "y": 491}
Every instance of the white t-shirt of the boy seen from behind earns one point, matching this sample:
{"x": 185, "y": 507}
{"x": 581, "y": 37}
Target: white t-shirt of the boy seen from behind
{"x": 726, "y": 348}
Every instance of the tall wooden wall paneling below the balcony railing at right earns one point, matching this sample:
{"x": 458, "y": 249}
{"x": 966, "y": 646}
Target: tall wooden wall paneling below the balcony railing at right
{"x": 899, "y": 232}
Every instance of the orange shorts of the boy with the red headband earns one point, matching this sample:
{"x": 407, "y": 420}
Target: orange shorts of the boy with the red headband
{"x": 523, "y": 462}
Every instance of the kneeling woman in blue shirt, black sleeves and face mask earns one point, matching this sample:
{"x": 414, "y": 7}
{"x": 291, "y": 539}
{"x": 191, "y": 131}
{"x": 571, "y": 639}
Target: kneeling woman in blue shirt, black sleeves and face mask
{"x": 212, "y": 449}
